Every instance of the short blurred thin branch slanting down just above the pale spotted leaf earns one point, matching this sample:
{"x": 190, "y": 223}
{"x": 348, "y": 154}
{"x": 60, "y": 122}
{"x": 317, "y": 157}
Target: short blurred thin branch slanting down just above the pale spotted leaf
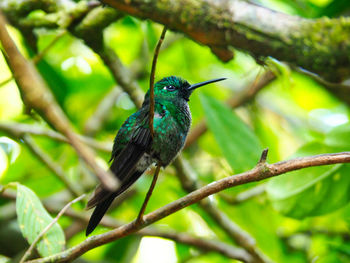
{"x": 51, "y": 165}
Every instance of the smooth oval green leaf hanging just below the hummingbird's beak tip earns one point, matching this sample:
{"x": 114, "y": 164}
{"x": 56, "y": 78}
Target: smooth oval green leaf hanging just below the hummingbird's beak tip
{"x": 238, "y": 143}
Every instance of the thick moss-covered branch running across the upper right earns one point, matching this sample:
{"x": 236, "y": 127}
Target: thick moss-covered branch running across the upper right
{"x": 312, "y": 44}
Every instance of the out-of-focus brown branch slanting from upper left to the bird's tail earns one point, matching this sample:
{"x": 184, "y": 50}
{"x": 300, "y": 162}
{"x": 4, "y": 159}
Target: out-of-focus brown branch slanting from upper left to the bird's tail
{"x": 36, "y": 95}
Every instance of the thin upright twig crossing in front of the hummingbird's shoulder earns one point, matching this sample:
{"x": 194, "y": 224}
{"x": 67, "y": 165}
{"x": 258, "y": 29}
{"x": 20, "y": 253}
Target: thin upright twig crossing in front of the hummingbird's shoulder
{"x": 151, "y": 80}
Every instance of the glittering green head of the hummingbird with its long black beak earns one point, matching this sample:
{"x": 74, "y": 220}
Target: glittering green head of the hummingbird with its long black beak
{"x": 172, "y": 87}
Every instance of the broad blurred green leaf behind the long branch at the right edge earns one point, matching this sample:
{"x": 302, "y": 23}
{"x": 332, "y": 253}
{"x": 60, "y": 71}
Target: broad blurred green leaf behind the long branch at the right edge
{"x": 313, "y": 191}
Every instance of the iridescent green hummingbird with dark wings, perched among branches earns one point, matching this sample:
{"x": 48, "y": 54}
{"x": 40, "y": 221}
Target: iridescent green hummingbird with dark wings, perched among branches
{"x": 135, "y": 149}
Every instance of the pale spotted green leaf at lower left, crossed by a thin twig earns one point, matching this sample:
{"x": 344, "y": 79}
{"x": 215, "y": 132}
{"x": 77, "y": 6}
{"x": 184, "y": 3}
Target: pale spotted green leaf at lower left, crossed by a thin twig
{"x": 33, "y": 218}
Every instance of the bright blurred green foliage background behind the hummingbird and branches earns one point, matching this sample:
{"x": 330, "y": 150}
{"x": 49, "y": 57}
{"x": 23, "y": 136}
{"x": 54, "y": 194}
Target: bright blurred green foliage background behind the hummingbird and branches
{"x": 302, "y": 216}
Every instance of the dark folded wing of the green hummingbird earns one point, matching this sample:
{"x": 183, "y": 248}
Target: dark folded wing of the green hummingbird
{"x": 124, "y": 162}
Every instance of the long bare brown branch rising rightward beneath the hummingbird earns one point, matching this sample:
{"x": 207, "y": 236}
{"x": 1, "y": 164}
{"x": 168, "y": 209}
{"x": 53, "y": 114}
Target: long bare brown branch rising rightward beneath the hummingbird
{"x": 257, "y": 174}
